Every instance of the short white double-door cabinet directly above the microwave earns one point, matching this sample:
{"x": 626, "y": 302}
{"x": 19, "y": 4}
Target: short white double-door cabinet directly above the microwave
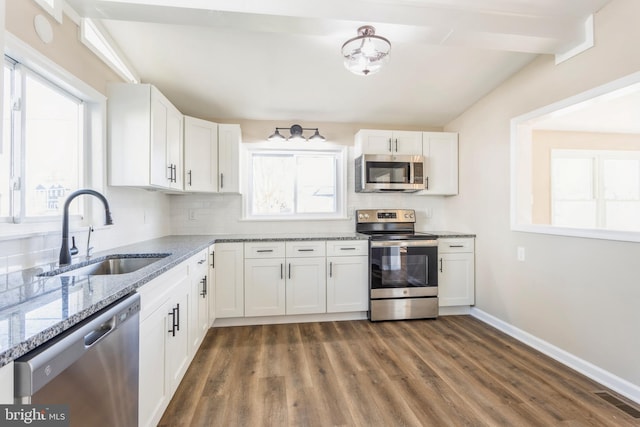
{"x": 370, "y": 141}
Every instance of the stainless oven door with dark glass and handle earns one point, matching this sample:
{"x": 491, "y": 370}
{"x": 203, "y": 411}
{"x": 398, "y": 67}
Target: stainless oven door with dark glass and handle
{"x": 404, "y": 269}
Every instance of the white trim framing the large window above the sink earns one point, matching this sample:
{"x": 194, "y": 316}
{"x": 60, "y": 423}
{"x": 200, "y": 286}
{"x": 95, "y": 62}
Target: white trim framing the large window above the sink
{"x": 94, "y": 133}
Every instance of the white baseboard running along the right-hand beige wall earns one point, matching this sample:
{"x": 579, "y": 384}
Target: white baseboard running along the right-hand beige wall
{"x": 607, "y": 379}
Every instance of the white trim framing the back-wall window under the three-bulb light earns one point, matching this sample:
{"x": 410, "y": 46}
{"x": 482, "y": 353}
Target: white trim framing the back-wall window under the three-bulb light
{"x": 340, "y": 152}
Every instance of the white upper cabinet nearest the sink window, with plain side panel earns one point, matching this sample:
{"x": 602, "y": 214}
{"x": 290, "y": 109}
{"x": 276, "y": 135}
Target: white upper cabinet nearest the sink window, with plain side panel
{"x": 145, "y": 138}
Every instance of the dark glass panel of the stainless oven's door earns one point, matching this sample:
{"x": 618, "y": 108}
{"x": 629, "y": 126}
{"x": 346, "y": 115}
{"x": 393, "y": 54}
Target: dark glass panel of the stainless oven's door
{"x": 396, "y": 267}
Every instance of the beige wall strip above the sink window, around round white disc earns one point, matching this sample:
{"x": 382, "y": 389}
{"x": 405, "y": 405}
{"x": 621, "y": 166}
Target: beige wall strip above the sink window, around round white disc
{"x": 65, "y": 50}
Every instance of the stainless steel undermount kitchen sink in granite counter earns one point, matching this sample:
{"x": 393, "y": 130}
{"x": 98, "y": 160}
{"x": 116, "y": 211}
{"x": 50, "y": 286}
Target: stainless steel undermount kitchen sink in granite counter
{"x": 112, "y": 264}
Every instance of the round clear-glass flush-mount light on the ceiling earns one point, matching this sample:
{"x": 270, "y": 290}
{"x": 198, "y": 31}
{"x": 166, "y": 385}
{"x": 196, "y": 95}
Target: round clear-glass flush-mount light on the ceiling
{"x": 367, "y": 53}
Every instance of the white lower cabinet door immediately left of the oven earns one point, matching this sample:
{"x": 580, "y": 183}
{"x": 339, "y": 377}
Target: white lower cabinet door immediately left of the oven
{"x": 347, "y": 284}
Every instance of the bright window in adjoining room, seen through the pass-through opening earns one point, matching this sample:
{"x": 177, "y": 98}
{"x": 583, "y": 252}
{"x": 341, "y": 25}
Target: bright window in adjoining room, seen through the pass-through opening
{"x": 595, "y": 189}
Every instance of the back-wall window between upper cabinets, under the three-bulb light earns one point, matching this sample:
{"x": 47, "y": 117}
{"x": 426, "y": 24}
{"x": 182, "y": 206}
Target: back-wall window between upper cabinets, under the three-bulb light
{"x": 295, "y": 183}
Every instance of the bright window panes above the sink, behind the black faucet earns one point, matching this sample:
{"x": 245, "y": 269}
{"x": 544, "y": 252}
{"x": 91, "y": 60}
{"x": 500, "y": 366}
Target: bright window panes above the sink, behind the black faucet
{"x": 43, "y": 147}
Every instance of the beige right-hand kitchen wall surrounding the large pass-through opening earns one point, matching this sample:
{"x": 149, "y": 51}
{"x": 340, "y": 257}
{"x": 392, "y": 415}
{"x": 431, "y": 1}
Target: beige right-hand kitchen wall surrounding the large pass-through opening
{"x": 581, "y": 295}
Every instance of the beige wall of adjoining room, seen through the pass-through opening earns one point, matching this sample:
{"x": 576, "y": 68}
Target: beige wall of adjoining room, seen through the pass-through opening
{"x": 543, "y": 141}
